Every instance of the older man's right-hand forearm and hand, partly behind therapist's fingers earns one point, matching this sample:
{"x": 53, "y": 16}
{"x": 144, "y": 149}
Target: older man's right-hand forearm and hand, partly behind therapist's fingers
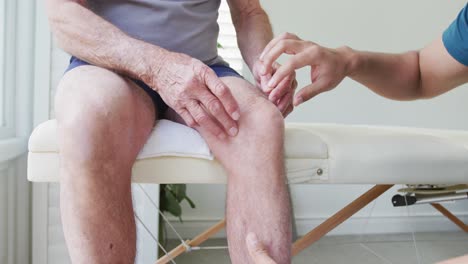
{"x": 254, "y": 32}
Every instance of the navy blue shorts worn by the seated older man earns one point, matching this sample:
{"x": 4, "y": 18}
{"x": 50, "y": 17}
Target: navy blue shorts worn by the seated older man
{"x": 220, "y": 70}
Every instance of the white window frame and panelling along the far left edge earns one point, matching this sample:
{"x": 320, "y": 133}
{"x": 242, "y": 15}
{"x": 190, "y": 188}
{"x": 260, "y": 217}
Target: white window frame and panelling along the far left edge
{"x": 15, "y": 125}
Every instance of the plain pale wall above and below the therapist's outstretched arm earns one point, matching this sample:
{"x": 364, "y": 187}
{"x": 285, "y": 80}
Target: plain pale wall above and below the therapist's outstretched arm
{"x": 392, "y": 26}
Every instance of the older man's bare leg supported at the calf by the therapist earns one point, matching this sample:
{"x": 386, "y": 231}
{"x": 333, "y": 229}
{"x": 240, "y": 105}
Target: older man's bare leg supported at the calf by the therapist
{"x": 257, "y": 197}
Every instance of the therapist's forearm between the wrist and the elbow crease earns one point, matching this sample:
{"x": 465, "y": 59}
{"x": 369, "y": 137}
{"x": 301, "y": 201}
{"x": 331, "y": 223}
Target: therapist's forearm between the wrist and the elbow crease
{"x": 395, "y": 76}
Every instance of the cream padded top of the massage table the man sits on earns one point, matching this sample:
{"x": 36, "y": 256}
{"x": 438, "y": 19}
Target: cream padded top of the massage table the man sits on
{"x": 314, "y": 153}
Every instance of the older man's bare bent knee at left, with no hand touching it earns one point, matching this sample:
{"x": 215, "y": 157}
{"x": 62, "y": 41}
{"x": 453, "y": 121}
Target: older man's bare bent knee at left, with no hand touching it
{"x": 94, "y": 115}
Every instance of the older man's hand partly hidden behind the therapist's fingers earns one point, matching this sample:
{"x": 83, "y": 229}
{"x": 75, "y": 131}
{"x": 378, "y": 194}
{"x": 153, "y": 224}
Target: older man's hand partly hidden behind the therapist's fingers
{"x": 282, "y": 95}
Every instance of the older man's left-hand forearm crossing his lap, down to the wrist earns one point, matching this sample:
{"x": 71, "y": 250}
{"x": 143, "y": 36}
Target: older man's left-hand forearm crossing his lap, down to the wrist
{"x": 84, "y": 34}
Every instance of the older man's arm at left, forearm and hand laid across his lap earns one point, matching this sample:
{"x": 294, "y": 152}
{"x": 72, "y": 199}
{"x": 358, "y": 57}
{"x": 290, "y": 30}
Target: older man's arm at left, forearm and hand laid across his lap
{"x": 187, "y": 85}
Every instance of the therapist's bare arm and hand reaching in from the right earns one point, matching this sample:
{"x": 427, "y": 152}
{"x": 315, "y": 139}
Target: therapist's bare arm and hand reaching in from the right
{"x": 426, "y": 73}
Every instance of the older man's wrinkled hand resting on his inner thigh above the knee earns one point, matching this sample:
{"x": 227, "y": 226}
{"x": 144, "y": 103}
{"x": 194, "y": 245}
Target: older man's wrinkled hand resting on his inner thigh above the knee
{"x": 194, "y": 91}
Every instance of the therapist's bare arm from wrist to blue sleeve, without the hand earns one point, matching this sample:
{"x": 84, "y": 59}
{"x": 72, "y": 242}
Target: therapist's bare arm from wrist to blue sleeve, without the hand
{"x": 426, "y": 73}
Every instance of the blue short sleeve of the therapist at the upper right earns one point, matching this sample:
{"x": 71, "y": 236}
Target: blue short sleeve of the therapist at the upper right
{"x": 455, "y": 37}
